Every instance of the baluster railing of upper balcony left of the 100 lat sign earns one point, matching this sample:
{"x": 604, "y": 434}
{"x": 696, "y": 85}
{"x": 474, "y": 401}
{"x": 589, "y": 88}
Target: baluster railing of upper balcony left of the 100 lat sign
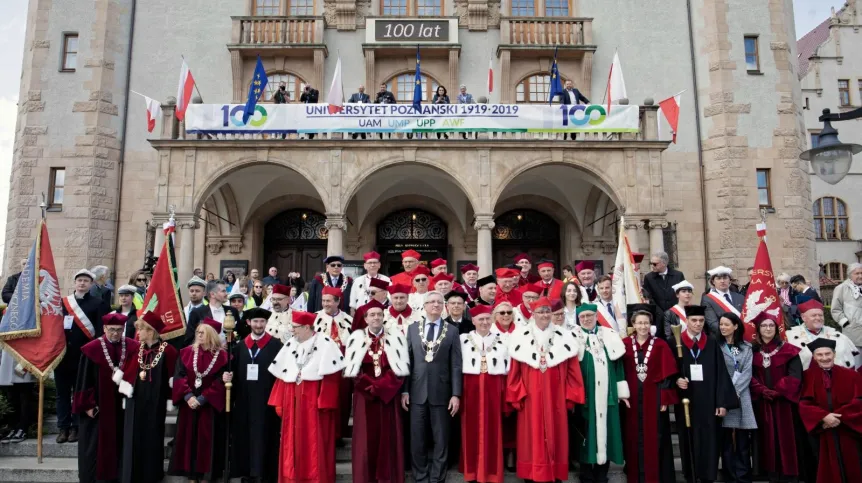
{"x": 277, "y": 31}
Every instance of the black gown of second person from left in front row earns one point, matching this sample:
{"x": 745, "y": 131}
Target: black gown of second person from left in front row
{"x": 144, "y": 420}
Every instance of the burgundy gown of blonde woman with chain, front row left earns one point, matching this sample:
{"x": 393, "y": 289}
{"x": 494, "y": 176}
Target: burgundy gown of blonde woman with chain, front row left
{"x": 198, "y": 446}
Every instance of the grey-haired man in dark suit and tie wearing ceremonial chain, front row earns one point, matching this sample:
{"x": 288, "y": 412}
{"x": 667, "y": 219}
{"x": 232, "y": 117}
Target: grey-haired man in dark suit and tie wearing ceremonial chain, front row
{"x": 432, "y": 391}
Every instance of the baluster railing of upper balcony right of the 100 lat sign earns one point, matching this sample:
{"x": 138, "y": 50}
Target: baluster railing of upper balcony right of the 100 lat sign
{"x": 537, "y": 31}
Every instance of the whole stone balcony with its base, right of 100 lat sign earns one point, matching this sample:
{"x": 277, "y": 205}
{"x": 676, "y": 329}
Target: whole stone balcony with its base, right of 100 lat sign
{"x": 529, "y": 35}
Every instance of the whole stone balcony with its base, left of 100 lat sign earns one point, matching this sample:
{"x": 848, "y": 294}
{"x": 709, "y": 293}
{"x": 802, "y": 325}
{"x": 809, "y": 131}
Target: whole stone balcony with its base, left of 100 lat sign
{"x": 276, "y": 35}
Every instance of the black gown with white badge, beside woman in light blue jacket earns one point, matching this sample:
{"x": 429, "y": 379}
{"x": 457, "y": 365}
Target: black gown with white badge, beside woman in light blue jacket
{"x": 715, "y": 391}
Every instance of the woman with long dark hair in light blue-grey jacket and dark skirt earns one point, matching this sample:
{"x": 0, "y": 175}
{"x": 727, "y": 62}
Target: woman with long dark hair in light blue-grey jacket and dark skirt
{"x": 739, "y": 423}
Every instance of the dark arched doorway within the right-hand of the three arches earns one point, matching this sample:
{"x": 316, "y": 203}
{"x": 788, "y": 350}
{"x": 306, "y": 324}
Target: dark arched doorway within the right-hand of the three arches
{"x": 525, "y": 231}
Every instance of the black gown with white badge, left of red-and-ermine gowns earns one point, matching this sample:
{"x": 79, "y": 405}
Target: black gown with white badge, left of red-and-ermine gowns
{"x": 255, "y": 427}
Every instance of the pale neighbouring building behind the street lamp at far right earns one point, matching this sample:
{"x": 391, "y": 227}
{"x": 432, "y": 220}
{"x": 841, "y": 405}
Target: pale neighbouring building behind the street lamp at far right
{"x": 831, "y": 78}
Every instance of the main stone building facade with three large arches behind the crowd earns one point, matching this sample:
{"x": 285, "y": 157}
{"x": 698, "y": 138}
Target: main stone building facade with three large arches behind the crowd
{"x": 288, "y": 202}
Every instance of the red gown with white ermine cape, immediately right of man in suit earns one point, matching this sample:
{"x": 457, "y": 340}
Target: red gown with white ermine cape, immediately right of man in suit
{"x": 483, "y": 404}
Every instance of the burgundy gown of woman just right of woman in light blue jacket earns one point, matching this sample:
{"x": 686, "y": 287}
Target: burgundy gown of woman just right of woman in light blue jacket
{"x": 776, "y": 389}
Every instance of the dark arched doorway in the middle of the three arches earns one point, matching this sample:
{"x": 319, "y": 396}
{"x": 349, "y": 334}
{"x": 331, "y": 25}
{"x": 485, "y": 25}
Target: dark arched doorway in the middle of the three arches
{"x": 413, "y": 229}
